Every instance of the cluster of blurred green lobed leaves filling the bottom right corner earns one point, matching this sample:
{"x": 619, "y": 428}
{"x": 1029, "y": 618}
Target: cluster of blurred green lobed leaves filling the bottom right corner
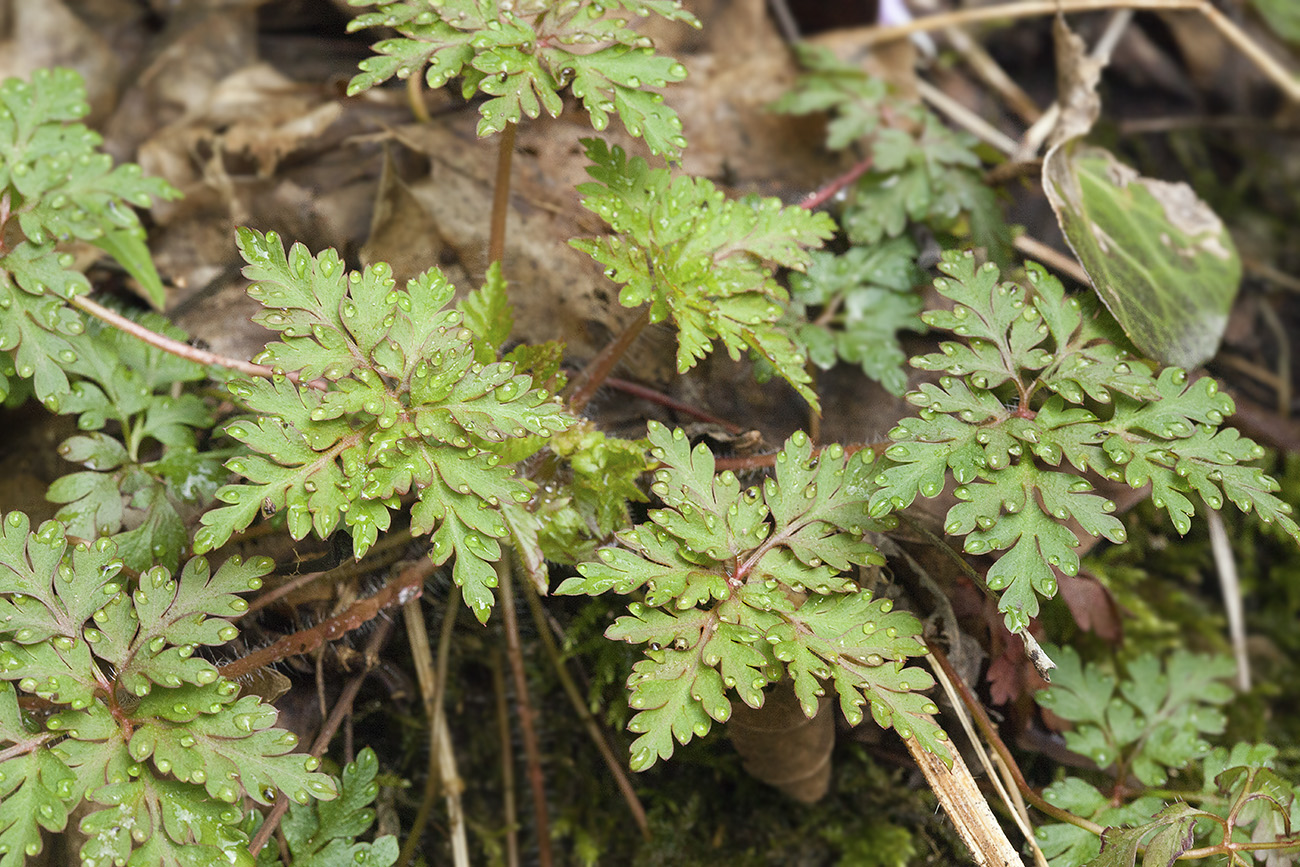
{"x": 1152, "y": 721}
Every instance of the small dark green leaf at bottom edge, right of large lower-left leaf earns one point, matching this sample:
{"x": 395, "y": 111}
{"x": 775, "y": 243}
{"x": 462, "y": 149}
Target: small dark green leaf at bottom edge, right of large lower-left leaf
{"x": 324, "y": 833}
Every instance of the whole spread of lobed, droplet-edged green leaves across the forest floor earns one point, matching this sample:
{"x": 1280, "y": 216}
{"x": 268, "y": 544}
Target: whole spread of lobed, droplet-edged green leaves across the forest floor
{"x": 384, "y": 408}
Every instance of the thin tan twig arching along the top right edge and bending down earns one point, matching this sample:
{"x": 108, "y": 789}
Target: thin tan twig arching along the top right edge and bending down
{"x": 1276, "y": 72}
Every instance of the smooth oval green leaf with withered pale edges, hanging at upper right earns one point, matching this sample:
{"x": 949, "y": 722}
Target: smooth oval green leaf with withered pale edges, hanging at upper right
{"x": 1158, "y": 255}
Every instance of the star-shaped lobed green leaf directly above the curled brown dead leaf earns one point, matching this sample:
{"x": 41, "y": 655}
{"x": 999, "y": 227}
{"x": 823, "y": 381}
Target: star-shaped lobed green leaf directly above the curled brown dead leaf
{"x": 742, "y": 588}
